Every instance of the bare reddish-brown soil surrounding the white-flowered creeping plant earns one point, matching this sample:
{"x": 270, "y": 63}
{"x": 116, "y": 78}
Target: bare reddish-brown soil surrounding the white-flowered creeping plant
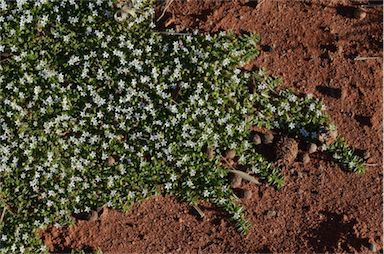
{"x": 312, "y": 45}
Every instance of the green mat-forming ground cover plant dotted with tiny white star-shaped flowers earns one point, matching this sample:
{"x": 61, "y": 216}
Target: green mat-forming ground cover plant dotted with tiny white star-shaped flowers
{"x": 98, "y": 108}
